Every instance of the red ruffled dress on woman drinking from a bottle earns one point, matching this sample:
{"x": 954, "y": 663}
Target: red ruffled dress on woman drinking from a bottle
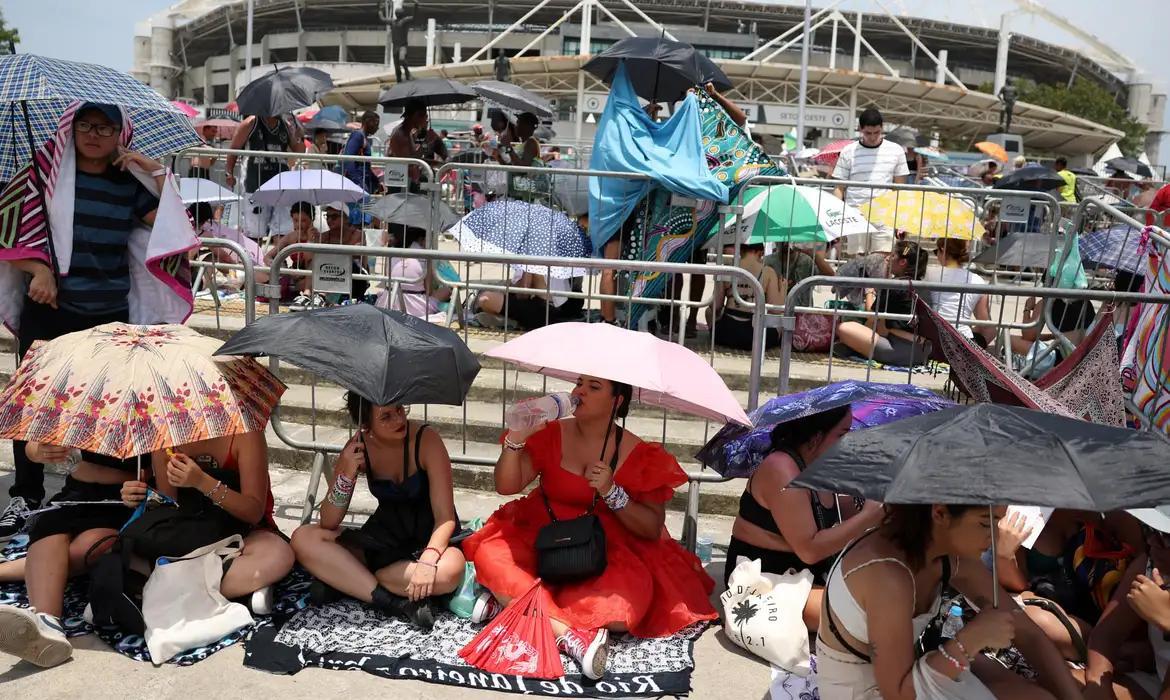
{"x": 653, "y": 587}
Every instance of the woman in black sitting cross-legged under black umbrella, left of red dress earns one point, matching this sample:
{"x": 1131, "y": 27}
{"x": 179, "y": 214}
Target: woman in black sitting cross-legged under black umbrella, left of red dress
{"x": 401, "y": 558}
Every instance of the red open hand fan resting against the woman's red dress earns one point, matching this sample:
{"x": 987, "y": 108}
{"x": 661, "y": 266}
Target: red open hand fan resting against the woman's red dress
{"x": 519, "y": 642}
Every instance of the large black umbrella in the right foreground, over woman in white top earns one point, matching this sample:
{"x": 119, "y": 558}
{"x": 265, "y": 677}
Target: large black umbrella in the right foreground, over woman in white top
{"x": 988, "y": 455}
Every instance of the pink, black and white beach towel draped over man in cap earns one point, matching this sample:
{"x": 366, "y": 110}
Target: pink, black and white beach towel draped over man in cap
{"x": 39, "y": 204}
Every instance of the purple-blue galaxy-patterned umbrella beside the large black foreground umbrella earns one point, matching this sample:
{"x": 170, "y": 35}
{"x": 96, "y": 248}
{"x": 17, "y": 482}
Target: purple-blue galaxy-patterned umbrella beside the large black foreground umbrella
{"x": 737, "y": 451}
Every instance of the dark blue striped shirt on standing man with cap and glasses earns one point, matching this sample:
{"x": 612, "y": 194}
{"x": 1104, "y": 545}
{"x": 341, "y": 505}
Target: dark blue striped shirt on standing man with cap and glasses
{"x": 106, "y": 210}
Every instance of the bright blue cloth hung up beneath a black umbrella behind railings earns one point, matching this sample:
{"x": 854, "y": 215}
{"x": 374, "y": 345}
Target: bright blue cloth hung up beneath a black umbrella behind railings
{"x": 629, "y": 141}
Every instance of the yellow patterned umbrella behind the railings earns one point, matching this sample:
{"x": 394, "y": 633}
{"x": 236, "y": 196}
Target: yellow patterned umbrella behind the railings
{"x": 927, "y": 215}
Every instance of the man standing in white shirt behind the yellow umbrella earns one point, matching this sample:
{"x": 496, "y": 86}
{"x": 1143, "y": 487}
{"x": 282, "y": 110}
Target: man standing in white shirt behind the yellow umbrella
{"x": 870, "y": 160}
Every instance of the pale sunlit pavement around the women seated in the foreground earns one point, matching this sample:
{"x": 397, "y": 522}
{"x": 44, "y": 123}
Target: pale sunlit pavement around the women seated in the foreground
{"x": 97, "y": 672}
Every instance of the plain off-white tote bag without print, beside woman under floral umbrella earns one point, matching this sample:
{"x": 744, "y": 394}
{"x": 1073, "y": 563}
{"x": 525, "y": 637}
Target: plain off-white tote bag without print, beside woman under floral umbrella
{"x": 183, "y": 606}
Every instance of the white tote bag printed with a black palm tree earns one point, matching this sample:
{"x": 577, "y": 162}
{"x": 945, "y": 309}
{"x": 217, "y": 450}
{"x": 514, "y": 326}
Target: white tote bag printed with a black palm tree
{"x": 763, "y": 614}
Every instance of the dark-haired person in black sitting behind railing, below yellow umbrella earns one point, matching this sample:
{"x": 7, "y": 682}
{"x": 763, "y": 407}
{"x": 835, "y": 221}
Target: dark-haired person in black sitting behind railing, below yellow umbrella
{"x": 891, "y": 342}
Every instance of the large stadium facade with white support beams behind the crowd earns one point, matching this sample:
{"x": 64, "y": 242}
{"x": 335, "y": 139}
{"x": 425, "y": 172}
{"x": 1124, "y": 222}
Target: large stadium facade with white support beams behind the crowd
{"x": 920, "y": 73}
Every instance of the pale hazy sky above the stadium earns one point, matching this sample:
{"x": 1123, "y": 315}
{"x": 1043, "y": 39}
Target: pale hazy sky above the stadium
{"x": 101, "y": 32}
